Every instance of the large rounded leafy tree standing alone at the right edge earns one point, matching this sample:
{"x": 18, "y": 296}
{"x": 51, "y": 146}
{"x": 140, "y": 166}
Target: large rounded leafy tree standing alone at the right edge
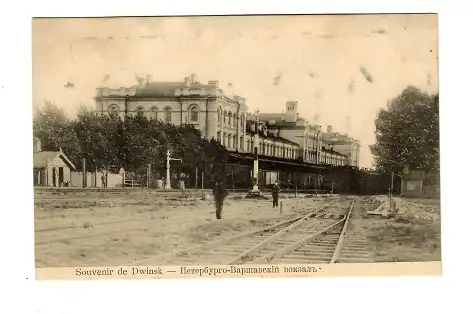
{"x": 407, "y": 132}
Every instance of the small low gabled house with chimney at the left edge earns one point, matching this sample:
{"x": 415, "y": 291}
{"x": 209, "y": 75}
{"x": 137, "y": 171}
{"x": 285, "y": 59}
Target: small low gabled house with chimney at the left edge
{"x": 50, "y": 168}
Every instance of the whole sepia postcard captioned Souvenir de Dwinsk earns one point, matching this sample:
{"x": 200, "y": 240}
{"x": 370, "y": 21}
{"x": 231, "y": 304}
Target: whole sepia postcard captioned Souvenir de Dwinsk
{"x": 230, "y": 146}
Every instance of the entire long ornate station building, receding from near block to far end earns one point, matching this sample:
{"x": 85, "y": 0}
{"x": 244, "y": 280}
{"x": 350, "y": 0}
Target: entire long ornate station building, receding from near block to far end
{"x": 227, "y": 120}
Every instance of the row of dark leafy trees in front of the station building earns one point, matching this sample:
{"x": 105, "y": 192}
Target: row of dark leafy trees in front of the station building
{"x": 108, "y": 142}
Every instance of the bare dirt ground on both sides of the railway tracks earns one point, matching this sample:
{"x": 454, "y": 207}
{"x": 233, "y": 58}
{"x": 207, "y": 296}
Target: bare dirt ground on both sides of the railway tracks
{"x": 115, "y": 229}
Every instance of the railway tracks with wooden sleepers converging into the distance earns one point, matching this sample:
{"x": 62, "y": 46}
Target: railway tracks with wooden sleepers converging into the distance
{"x": 323, "y": 235}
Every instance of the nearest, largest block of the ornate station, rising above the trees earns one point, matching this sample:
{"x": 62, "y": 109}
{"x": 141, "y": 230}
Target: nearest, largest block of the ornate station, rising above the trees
{"x": 205, "y": 106}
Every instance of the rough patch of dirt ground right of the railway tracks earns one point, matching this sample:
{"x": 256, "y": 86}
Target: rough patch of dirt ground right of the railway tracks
{"x": 411, "y": 236}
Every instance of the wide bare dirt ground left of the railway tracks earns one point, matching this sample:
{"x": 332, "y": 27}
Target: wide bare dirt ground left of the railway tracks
{"x": 116, "y": 229}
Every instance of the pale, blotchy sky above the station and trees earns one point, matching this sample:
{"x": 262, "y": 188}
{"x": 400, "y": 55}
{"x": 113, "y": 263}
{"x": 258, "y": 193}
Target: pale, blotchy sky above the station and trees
{"x": 334, "y": 66}
